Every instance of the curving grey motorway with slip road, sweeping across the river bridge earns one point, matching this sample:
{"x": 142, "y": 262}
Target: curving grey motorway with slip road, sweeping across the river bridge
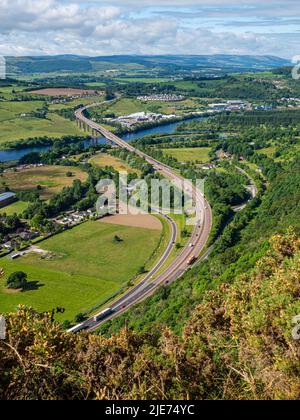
{"x": 179, "y": 265}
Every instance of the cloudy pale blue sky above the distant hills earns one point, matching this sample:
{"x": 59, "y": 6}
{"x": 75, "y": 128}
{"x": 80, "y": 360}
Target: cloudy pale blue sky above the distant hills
{"x": 97, "y": 27}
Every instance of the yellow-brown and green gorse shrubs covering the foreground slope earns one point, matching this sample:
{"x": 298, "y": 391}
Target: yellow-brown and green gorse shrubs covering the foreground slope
{"x": 238, "y": 344}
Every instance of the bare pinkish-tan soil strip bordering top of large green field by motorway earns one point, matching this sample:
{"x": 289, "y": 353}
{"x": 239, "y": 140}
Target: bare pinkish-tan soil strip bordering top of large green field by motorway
{"x": 145, "y": 221}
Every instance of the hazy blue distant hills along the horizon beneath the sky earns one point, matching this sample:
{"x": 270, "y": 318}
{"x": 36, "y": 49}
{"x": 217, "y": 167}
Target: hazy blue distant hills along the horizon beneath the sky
{"x": 71, "y": 63}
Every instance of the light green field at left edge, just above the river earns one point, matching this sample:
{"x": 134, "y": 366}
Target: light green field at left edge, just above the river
{"x": 14, "y": 126}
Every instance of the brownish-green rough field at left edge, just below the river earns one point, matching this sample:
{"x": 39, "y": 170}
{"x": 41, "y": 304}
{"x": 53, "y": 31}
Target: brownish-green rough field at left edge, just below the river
{"x": 51, "y": 179}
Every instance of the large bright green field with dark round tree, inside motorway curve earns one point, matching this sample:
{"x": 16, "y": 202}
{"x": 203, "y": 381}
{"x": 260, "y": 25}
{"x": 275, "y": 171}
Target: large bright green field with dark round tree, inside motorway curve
{"x": 86, "y": 268}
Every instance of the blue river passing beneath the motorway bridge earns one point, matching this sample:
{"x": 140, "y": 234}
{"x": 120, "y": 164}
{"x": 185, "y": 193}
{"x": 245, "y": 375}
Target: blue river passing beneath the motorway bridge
{"x": 16, "y": 154}
